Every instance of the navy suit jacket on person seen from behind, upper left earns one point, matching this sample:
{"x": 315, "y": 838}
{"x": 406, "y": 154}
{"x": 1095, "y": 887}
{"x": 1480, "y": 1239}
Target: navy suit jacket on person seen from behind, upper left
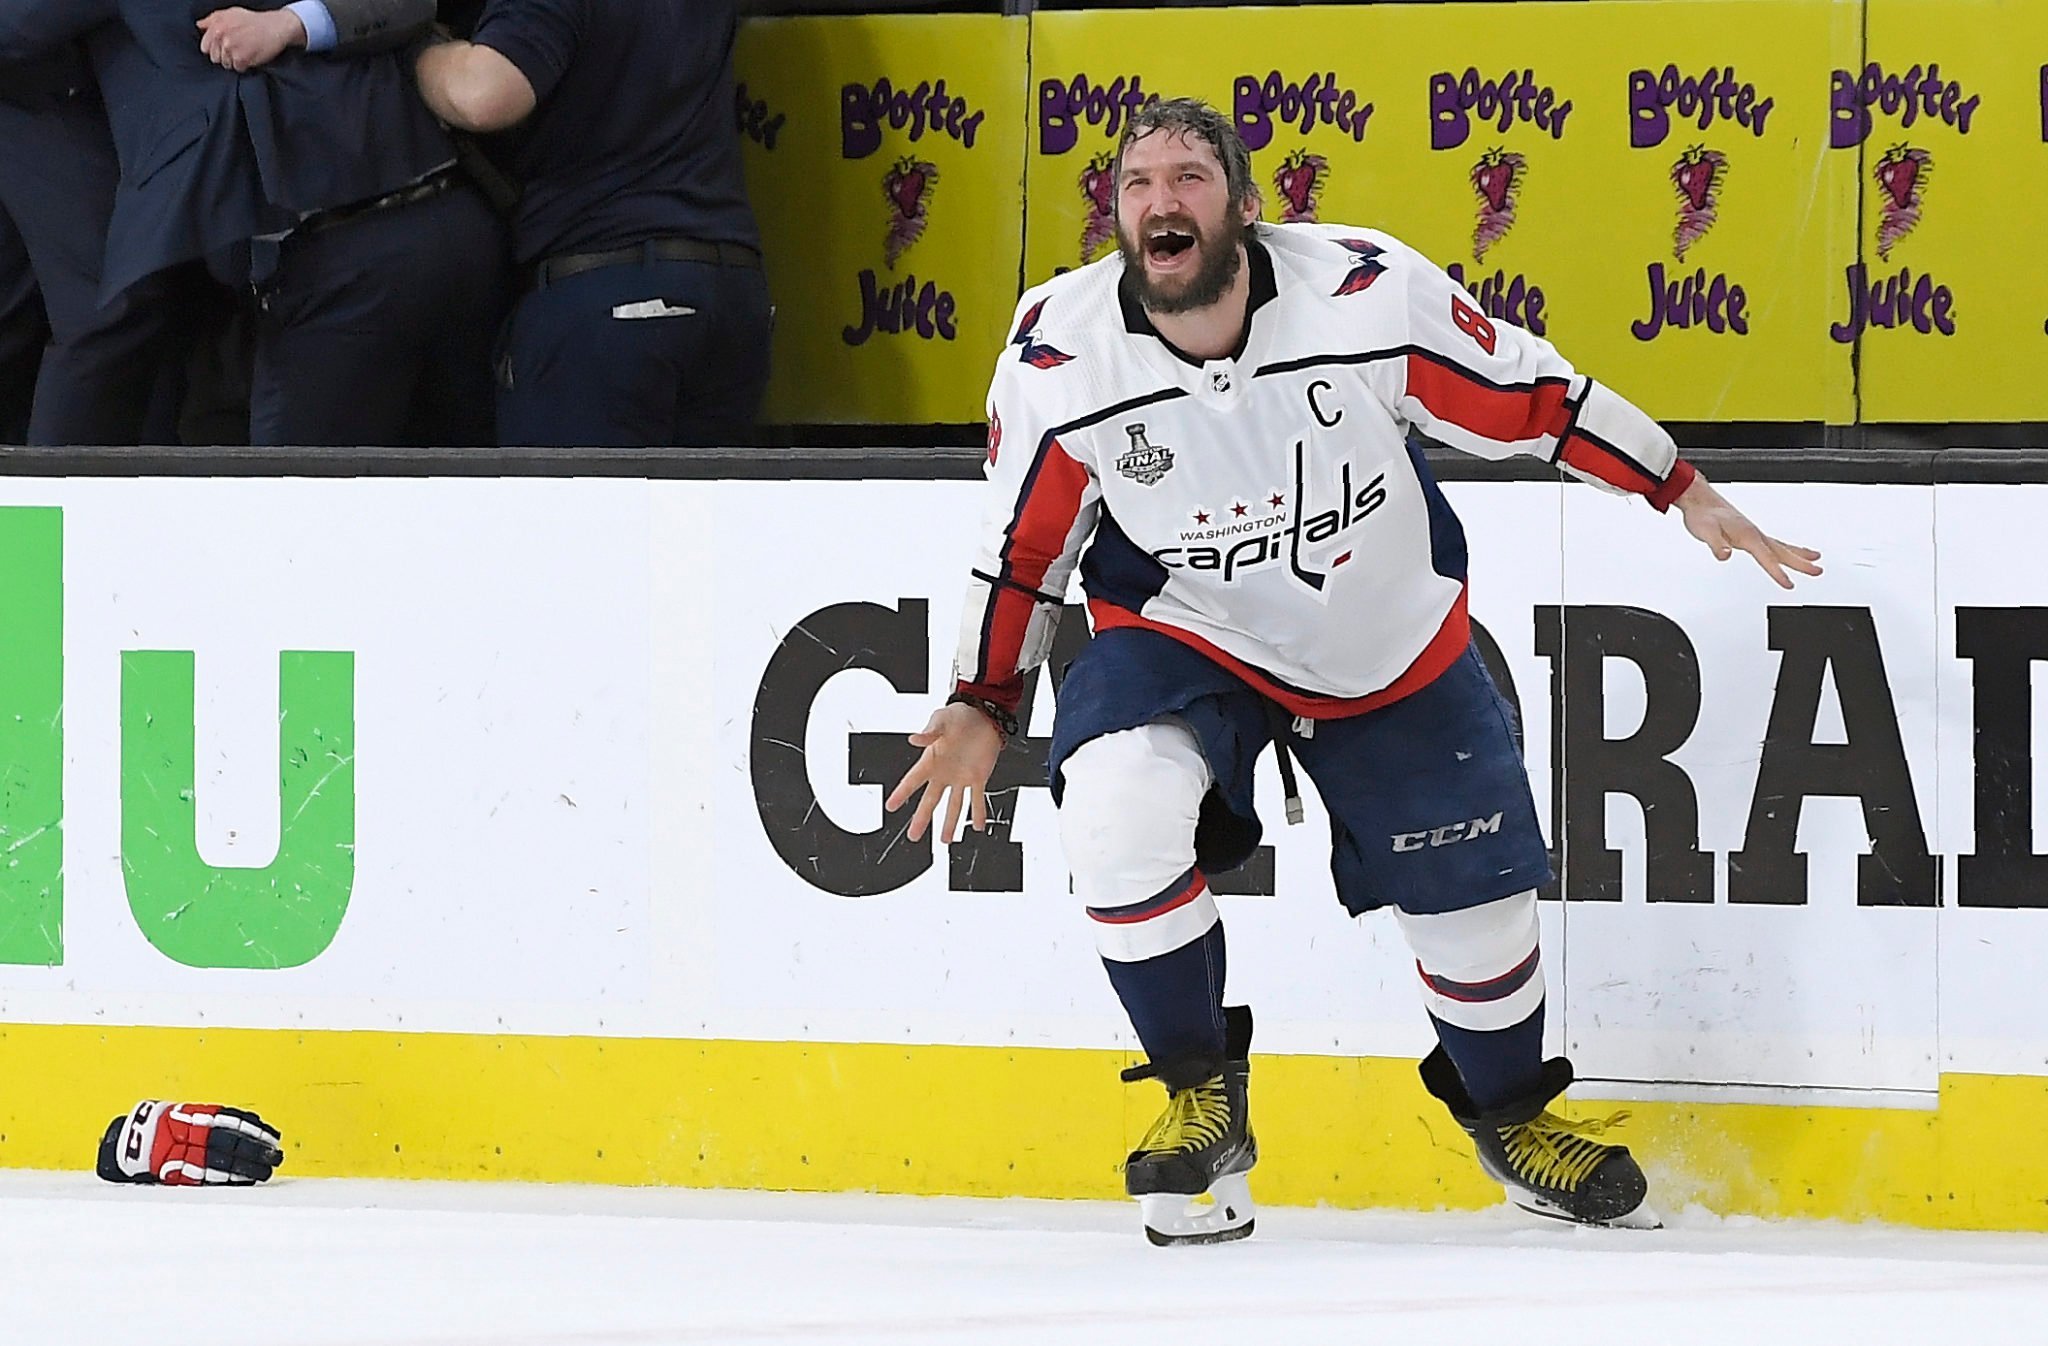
{"x": 212, "y": 159}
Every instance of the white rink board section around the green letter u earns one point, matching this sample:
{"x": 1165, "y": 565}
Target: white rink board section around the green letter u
{"x": 495, "y": 687}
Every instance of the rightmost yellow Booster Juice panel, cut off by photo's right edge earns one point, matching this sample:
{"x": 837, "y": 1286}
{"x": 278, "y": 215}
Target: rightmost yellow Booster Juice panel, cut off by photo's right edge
{"x": 1947, "y": 122}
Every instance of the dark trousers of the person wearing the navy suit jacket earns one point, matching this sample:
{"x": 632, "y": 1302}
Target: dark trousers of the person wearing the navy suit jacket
{"x": 378, "y": 331}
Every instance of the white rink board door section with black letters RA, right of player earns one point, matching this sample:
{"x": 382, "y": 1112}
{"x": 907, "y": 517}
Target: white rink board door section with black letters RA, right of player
{"x": 1822, "y": 995}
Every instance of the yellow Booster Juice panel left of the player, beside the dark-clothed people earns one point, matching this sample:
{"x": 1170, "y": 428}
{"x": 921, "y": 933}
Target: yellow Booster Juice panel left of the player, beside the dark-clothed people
{"x": 886, "y": 159}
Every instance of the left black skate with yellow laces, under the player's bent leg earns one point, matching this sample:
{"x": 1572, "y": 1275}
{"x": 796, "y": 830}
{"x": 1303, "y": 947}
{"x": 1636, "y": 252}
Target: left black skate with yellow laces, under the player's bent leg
{"x": 1201, "y": 1146}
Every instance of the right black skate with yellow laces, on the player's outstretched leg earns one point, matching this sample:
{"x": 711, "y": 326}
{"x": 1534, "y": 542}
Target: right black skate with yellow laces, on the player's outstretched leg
{"x": 1549, "y": 1167}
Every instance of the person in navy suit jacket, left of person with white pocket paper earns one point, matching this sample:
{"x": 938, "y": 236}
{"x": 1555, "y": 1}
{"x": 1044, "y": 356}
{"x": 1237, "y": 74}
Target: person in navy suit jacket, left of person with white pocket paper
{"x": 325, "y": 187}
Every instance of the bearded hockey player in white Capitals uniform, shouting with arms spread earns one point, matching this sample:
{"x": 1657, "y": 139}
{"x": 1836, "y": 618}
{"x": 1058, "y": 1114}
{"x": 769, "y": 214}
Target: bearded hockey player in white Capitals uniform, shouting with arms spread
{"x": 1224, "y": 413}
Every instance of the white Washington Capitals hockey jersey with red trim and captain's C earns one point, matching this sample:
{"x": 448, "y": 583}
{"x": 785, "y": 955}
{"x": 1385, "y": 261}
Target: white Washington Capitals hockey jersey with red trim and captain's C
{"x": 1269, "y": 509}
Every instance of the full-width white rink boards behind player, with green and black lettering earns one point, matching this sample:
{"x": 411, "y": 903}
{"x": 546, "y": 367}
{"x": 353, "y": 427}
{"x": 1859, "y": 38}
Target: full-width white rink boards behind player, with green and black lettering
{"x": 523, "y": 644}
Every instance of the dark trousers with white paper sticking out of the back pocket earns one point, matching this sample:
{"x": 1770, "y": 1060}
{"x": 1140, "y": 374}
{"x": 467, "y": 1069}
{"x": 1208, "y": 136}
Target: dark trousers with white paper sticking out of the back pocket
{"x": 579, "y": 366}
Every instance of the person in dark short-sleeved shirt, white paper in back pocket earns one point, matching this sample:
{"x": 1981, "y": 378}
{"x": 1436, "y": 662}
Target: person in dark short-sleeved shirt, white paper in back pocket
{"x": 646, "y": 319}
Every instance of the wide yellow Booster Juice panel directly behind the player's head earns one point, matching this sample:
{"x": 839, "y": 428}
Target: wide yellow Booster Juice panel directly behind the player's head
{"x": 1648, "y": 185}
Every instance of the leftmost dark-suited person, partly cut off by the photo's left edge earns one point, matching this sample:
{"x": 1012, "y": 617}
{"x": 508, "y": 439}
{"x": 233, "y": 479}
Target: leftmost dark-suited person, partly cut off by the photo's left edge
{"x": 108, "y": 374}
